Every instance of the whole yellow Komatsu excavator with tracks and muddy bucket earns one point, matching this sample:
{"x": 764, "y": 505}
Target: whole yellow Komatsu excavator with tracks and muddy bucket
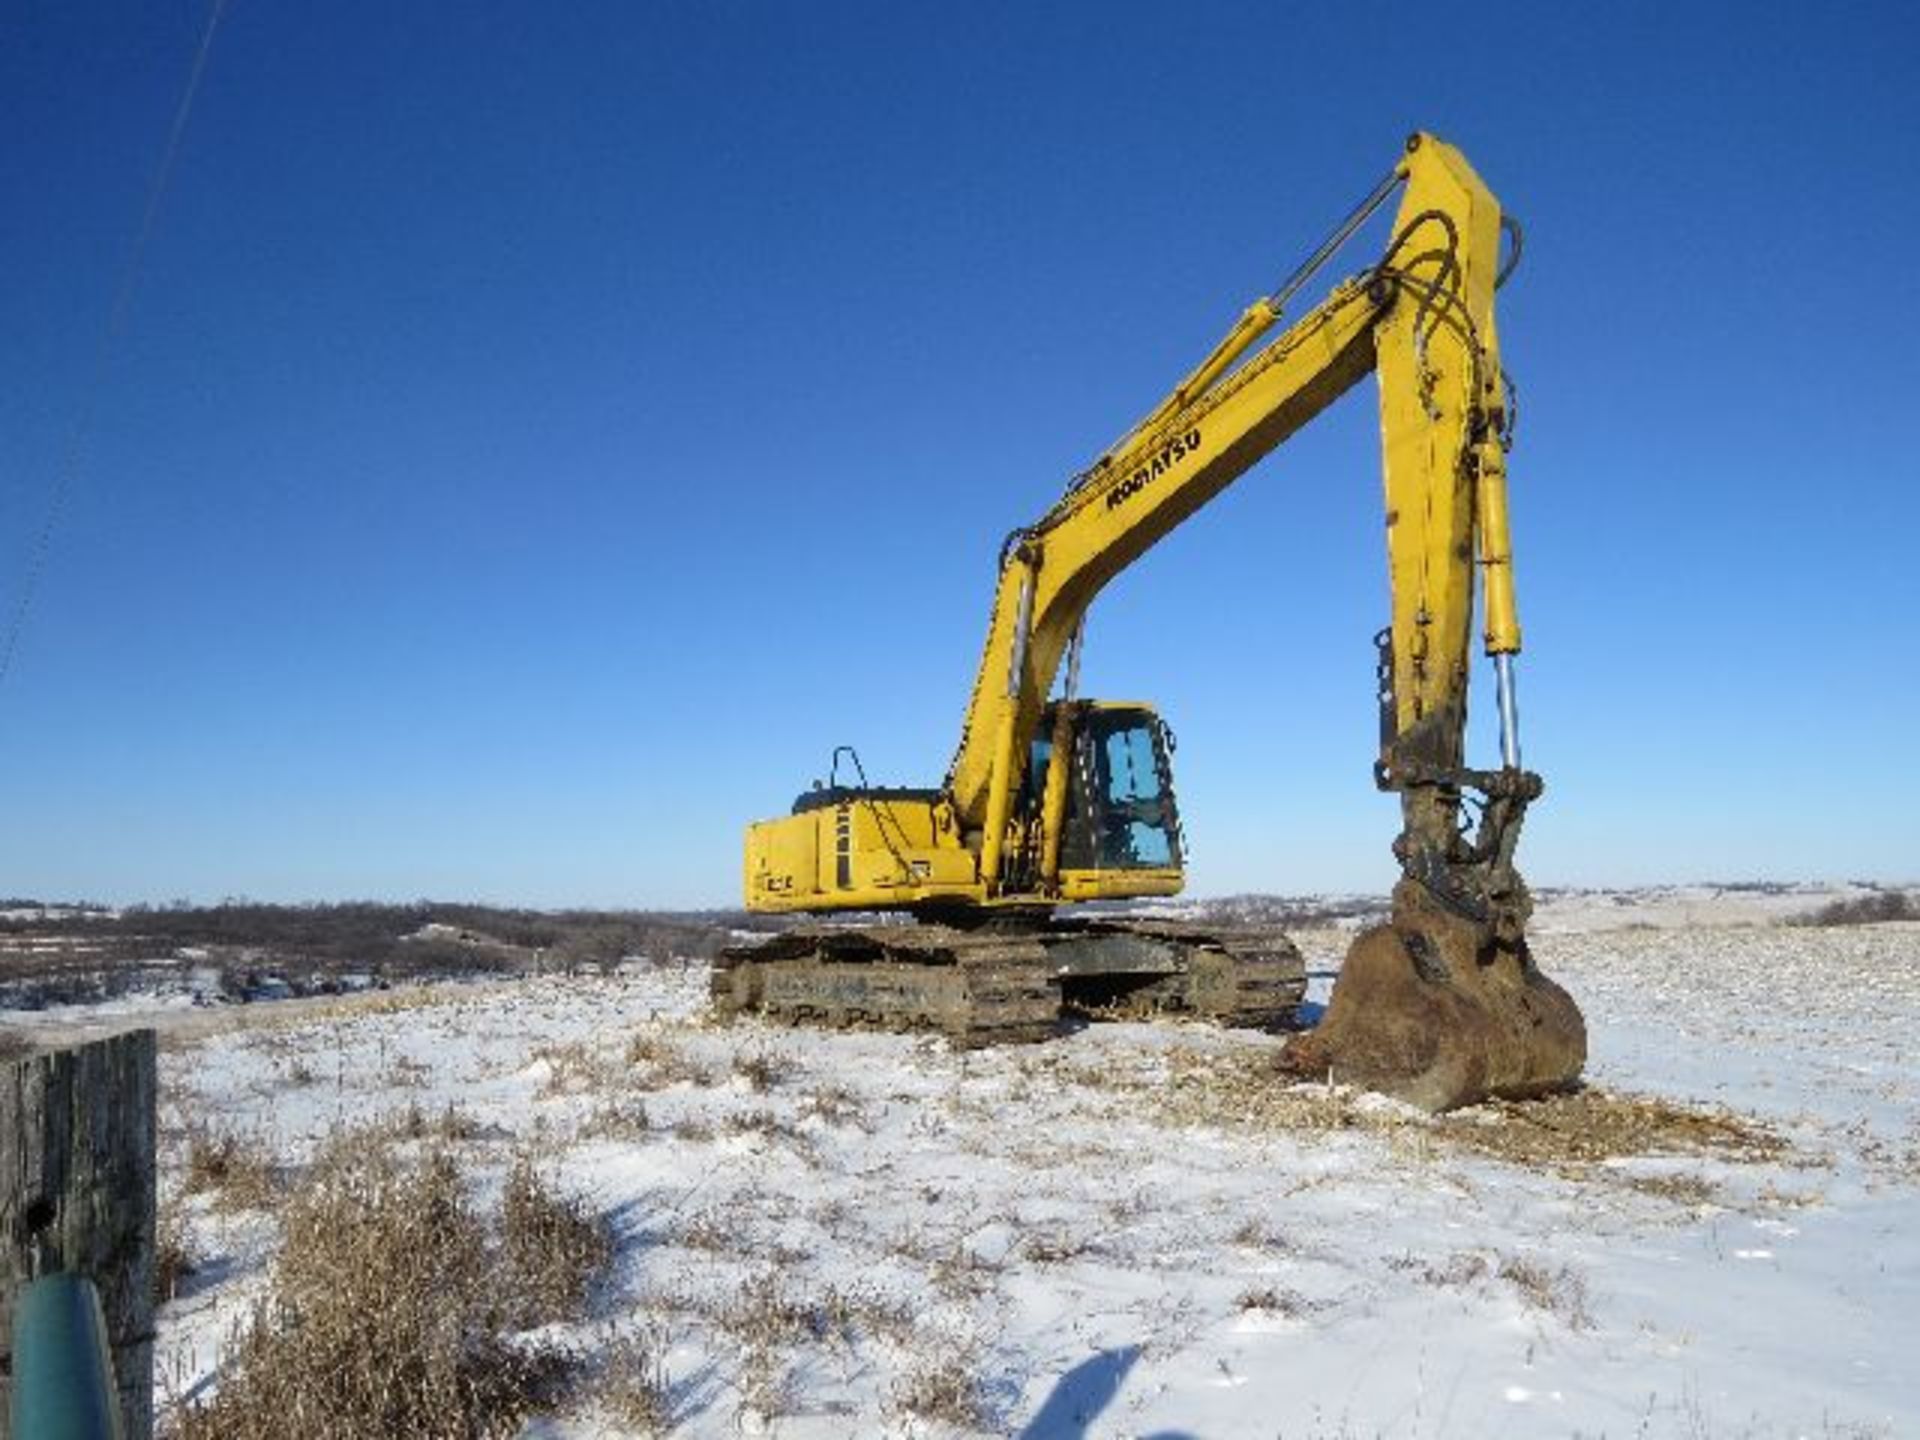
{"x": 1055, "y": 802}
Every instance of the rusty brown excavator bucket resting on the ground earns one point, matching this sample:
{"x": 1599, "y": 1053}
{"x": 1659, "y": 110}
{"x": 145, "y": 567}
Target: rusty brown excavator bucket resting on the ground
{"x": 1439, "y": 1011}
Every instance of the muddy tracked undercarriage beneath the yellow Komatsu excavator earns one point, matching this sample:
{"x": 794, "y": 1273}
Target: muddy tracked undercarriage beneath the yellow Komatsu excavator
{"x": 997, "y": 986}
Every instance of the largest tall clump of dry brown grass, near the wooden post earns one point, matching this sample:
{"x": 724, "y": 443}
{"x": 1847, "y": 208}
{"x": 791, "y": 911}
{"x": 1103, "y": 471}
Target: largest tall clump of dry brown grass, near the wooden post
{"x": 385, "y": 1312}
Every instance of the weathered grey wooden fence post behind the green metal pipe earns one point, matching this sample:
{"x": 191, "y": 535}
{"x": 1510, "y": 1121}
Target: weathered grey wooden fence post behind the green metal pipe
{"x": 78, "y": 1195}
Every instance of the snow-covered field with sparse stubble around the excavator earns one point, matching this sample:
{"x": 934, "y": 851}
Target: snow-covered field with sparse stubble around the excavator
{"x": 1138, "y": 1232}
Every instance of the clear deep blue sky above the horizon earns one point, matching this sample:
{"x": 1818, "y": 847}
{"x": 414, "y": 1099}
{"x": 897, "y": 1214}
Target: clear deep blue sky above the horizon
{"x": 542, "y": 433}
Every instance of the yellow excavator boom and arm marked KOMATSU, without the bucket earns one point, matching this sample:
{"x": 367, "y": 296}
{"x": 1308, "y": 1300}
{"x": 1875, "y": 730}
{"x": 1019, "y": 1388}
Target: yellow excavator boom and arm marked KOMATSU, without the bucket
{"x": 1422, "y": 320}
